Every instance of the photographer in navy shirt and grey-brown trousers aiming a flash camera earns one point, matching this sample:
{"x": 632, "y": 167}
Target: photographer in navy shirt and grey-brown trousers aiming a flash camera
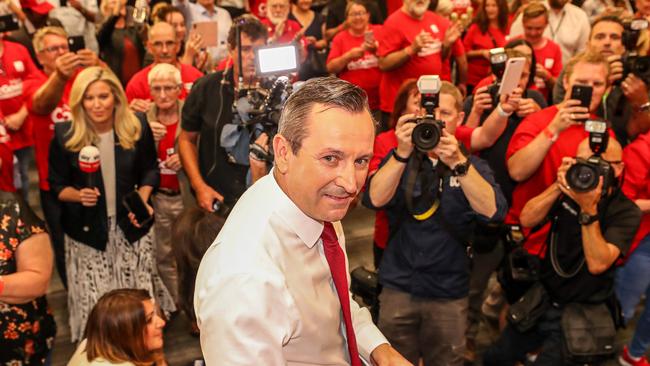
{"x": 425, "y": 268}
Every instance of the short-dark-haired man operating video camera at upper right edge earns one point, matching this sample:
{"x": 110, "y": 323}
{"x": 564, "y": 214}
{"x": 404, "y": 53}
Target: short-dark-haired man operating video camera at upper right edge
{"x": 627, "y": 104}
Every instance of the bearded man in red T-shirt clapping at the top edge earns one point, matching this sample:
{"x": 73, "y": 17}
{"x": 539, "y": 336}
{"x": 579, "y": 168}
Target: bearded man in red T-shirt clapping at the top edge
{"x": 414, "y": 42}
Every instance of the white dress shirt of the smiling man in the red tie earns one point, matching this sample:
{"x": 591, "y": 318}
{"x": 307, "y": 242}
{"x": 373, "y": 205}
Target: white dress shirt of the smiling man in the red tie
{"x": 264, "y": 293}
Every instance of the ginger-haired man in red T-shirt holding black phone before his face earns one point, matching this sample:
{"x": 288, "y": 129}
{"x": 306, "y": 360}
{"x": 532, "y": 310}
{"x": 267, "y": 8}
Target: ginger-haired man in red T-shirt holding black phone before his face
{"x": 543, "y": 138}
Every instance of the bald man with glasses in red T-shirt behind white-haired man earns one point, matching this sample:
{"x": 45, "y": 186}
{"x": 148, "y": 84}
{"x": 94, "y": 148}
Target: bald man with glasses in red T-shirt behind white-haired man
{"x": 163, "y": 46}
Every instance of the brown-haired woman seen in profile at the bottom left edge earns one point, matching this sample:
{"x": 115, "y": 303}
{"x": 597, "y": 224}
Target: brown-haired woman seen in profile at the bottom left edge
{"x": 124, "y": 328}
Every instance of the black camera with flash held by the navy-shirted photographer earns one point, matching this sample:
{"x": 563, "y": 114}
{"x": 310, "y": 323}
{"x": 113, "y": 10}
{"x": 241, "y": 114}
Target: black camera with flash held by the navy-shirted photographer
{"x": 426, "y": 134}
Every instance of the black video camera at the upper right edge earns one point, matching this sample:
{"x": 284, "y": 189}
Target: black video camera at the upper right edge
{"x": 632, "y": 62}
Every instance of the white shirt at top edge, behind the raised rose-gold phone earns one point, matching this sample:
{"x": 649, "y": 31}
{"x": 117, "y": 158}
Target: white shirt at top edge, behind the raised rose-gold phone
{"x": 196, "y": 13}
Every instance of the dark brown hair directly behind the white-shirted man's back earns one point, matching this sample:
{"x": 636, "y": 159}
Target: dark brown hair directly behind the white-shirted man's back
{"x": 192, "y": 234}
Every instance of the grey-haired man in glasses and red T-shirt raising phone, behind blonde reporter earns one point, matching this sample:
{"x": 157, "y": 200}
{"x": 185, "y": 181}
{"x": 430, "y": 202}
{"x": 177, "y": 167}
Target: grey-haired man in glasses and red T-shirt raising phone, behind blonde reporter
{"x": 46, "y": 99}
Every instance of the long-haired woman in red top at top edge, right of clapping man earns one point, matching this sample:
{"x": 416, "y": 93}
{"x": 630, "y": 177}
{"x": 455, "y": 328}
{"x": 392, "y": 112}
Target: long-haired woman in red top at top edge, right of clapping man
{"x": 488, "y": 31}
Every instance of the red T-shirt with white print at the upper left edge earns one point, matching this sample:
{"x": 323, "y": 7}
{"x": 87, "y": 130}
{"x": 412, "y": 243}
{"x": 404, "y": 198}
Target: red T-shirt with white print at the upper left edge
{"x": 16, "y": 66}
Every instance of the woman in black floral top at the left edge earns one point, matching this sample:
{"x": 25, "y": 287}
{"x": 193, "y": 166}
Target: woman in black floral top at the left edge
{"x": 27, "y": 326}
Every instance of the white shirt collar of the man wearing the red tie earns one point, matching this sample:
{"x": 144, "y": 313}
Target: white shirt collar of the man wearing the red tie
{"x": 307, "y": 229}
